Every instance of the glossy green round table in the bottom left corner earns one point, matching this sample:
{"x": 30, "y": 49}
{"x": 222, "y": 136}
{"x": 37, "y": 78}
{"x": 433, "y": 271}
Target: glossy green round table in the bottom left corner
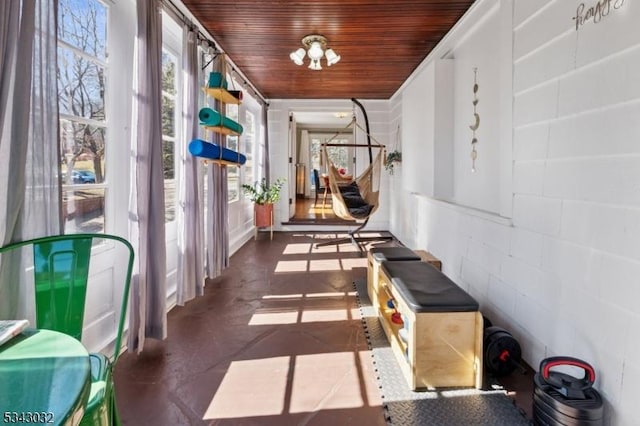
{"x": 45, "y": 378}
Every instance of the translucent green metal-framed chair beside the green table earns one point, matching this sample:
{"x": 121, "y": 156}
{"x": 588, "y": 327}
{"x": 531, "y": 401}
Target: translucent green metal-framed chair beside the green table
{"x": 61, "y": 274}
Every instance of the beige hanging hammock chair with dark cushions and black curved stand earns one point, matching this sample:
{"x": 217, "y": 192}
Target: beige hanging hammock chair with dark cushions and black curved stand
{"x": 355, "y": 199}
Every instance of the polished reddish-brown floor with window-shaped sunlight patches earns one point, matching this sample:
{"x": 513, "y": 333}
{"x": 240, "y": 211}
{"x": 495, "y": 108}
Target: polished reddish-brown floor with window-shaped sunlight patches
{"x": 276, "y": 340}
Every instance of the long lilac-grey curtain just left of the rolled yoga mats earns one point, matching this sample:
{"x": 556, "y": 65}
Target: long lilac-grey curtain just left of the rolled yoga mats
{"x": 190, "y": 219}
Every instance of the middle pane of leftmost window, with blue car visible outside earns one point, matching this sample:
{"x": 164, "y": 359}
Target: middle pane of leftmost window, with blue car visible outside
{"x": 81, "y": 153}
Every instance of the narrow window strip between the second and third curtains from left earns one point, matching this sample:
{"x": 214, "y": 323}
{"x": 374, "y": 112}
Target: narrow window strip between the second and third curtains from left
{"x": 169, "y": 103}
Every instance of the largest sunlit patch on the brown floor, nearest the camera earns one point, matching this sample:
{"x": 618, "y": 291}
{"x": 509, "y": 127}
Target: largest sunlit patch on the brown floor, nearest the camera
{"x": 322, "y": 381}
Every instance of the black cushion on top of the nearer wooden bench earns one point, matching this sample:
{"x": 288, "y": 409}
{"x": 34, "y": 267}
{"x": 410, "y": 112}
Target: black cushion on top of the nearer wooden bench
{"x": 425, "y": 289}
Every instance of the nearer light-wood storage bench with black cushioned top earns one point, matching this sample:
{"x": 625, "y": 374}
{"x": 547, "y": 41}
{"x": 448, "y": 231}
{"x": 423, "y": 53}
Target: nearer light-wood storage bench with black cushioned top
{"x": 439, "y": 343}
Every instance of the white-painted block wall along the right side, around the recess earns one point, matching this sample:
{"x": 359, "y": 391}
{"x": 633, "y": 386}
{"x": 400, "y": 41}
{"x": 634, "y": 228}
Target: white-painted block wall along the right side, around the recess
{"x": 563, "y": 273}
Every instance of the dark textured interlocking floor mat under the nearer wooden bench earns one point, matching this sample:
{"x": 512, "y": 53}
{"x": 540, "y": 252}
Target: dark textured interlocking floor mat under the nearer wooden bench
{"x": 450, "y": 407}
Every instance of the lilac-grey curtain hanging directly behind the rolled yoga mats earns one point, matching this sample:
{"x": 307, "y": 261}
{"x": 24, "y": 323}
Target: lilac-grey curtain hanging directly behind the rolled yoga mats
{"x": 217, "y": 201}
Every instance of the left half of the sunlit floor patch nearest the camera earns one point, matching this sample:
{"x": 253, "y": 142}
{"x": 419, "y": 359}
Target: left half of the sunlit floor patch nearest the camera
{"x": 251, "y": 388}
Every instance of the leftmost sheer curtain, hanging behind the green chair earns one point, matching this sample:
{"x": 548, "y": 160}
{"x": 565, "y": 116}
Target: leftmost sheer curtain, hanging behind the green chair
{"x": 29, "y": 186}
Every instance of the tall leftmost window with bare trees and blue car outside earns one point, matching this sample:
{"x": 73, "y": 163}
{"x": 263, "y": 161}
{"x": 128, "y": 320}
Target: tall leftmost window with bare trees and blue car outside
{"x": 82, "y": 75}
